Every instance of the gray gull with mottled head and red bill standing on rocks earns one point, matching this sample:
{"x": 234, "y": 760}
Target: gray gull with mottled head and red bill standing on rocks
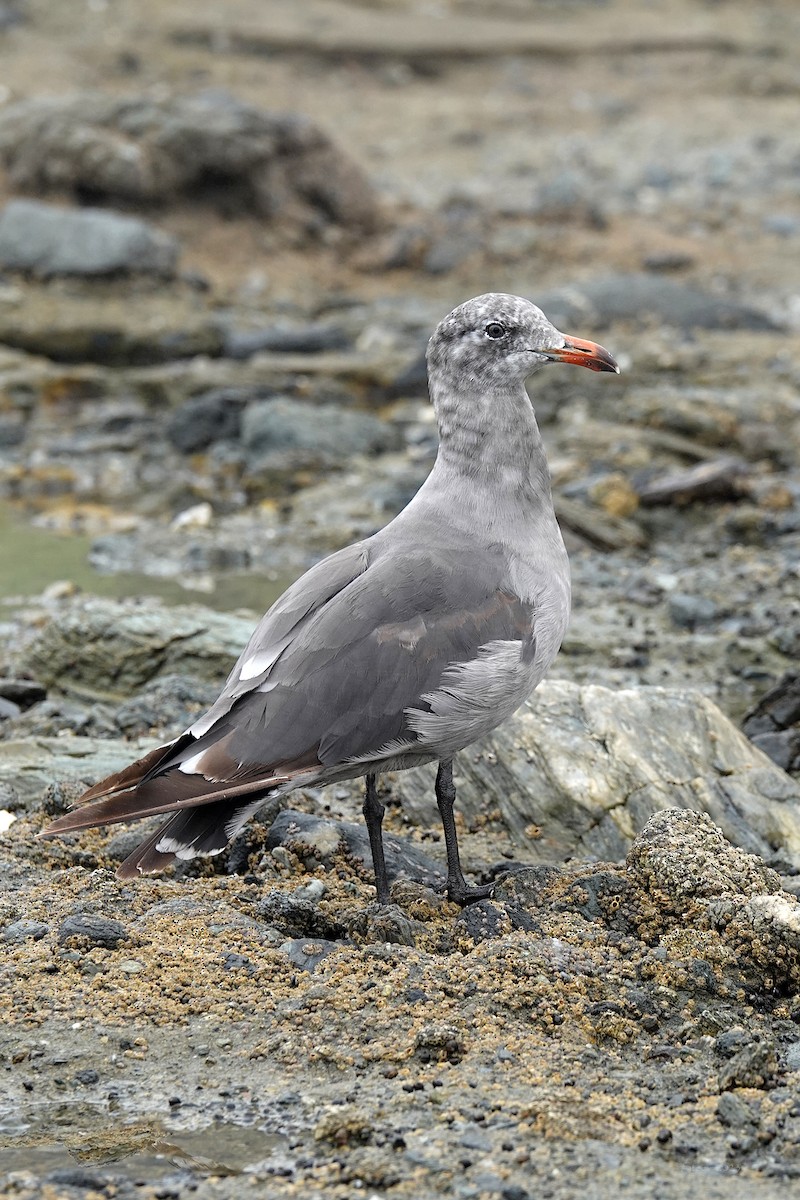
{"x": 401, "y": 650}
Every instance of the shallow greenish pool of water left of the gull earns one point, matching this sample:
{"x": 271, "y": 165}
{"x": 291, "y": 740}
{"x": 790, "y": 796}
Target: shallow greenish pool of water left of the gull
{"x": 32, "y": 560}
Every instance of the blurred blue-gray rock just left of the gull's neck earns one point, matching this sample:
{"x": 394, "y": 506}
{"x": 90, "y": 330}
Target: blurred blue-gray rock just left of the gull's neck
{"x": 326, "y": 433}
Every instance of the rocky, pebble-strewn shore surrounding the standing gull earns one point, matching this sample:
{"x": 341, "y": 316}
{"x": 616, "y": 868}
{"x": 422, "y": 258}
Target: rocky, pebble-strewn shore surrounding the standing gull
{"x": 225, "y": 239}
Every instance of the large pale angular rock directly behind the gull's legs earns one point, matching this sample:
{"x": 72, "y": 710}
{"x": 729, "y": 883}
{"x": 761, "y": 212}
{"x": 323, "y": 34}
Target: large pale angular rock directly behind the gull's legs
{"x": 580, "y": 770}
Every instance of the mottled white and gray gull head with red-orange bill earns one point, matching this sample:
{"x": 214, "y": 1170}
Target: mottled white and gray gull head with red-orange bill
{"x": 496, "y": 341}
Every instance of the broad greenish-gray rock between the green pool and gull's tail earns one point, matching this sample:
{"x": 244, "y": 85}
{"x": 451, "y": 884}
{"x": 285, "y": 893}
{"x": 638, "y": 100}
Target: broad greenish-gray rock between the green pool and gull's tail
{"x": 106, "y": 649}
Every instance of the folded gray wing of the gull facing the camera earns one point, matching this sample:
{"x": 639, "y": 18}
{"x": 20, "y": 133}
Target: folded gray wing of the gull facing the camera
{"x": 339, "y": 683}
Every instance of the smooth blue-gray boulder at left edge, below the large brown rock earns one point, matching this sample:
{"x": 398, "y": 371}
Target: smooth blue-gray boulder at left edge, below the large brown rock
{"x": 47, "y": 241}
